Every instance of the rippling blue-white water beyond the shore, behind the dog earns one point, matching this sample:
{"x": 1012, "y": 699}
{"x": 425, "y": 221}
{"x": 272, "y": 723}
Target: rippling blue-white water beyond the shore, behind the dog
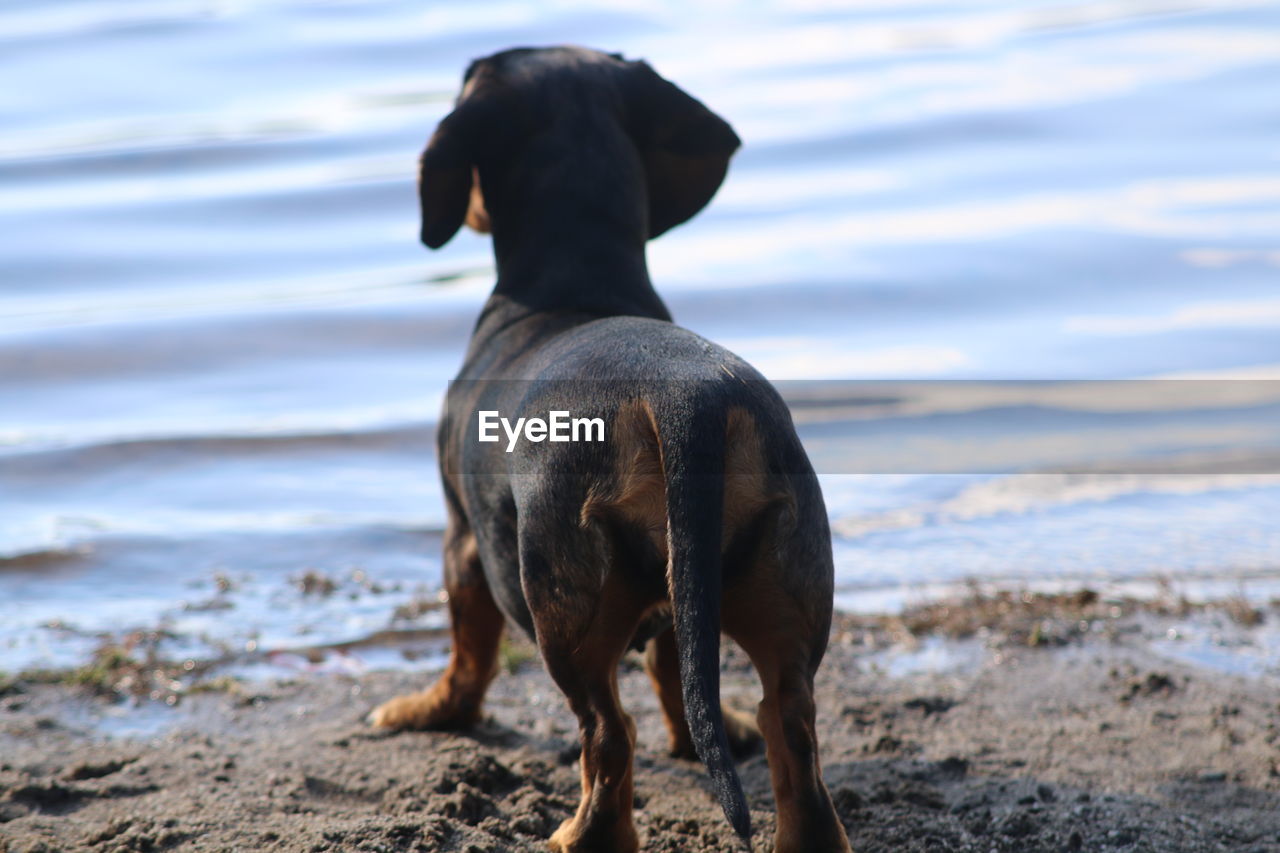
{"x": 222, "y": 349}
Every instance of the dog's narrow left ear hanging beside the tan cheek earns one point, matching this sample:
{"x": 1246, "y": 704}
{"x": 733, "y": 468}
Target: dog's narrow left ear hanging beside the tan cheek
{"x": 445, "y": 179}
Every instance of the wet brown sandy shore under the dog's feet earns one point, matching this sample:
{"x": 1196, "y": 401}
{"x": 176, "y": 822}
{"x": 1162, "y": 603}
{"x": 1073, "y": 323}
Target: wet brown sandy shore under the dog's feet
{"x": 1052, "y": 740}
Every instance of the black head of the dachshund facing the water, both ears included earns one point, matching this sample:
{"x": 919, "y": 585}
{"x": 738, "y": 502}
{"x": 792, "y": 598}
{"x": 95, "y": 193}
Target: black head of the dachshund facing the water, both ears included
{"x": 525, "y": 116}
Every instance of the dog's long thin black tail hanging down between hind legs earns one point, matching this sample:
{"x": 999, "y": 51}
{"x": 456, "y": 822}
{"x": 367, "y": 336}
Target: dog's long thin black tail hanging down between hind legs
{"x": 693, "y": 457}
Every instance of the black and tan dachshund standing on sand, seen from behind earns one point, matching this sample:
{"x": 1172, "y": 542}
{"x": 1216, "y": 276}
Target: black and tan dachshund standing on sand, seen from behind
{"x": 697, "y": 514}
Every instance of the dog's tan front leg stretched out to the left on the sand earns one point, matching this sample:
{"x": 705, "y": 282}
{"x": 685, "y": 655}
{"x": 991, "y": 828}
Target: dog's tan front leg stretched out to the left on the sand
{"x": 477, "y": 624}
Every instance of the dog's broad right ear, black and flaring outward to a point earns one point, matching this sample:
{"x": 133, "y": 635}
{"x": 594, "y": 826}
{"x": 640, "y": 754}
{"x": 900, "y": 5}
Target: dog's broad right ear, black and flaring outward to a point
{"x": 684, "y": 145}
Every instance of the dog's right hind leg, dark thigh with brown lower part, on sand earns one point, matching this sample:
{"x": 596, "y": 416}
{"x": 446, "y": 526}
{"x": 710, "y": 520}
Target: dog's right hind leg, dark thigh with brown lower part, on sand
{"x": 783, "y": 624}
